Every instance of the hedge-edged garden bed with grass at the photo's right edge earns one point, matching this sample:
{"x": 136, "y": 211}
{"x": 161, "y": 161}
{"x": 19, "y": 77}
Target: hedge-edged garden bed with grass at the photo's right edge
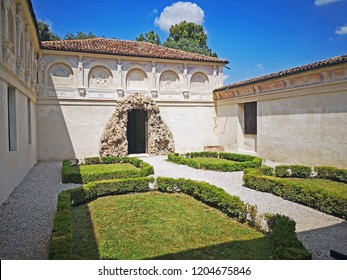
{"x": 323, "y": 188}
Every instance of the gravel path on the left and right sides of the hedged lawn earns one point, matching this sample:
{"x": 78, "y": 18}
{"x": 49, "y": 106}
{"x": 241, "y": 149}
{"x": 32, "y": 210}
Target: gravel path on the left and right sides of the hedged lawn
{"x": 27, "y": 216}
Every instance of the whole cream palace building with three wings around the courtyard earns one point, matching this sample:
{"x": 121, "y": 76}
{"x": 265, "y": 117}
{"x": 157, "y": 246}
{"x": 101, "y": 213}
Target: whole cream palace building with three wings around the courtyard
{"x": 82, "y": 98}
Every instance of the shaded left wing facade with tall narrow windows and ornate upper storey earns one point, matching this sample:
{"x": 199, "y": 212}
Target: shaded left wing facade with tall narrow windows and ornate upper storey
{"x": 18, "y": 45}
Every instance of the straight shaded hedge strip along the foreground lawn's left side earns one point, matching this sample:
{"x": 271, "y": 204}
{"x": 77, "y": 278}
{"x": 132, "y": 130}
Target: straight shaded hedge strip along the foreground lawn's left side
{"x": 60, "y": 245}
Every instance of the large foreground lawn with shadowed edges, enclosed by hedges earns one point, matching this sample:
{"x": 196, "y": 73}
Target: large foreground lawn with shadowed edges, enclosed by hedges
{"x": 161, "y": 226}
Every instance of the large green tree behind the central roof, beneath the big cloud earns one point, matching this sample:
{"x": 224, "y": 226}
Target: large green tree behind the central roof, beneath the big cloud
{"x": 190, "y": 37}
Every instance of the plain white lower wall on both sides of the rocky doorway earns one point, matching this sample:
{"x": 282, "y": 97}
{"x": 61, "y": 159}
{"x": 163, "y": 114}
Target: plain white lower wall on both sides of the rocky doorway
{"x": 74, "y": 131}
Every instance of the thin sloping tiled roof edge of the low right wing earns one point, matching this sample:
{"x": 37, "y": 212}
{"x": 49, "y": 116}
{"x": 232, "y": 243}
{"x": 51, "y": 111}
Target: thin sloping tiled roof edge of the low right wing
{"x": 311, "y": 66}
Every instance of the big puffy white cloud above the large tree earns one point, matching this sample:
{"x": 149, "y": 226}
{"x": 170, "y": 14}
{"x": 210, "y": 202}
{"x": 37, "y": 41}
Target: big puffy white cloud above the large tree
{"x": 179, "y": 12}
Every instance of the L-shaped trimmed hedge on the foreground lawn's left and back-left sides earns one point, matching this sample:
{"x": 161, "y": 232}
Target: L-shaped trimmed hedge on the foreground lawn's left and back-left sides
{"x": 60, "y": 247}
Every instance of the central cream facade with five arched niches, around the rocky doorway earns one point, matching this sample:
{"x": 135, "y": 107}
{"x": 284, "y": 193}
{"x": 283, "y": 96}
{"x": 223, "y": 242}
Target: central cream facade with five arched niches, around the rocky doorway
{"x": 78, "y": 94}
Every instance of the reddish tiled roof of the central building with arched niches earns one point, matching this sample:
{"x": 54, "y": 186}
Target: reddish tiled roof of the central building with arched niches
{"x": 125, "y": 48}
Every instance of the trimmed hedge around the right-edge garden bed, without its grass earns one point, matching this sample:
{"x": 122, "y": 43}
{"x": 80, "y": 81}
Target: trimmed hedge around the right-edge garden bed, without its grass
{"x": 259, "y": 180}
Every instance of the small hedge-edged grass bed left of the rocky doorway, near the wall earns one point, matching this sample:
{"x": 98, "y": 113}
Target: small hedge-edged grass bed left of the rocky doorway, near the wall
{"x": 94, "y": 169}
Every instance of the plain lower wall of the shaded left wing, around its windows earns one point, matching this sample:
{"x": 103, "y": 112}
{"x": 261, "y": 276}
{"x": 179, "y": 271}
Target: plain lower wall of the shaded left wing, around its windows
{"x": 14, "y": 165}
